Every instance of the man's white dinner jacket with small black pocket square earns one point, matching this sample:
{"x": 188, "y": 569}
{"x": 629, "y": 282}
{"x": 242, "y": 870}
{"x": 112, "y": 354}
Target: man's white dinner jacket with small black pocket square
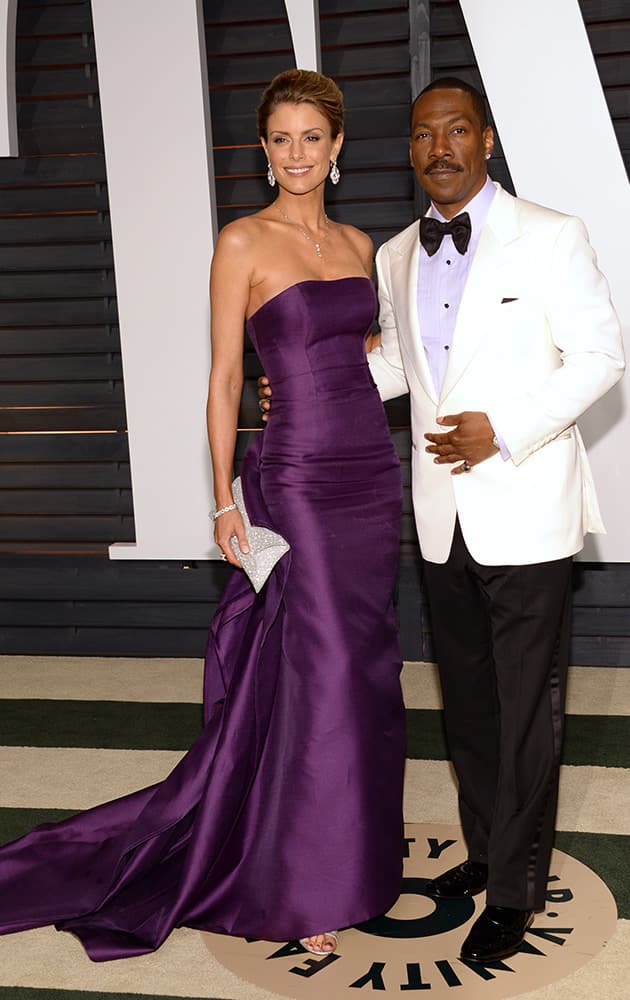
{"x": 536, "y": 342}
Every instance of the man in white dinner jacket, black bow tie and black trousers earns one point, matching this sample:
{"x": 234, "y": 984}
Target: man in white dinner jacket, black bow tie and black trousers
{"x": 500, "y": 327}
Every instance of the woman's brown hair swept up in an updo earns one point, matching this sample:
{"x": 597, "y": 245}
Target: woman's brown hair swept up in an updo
{"x": 302, "y": 86}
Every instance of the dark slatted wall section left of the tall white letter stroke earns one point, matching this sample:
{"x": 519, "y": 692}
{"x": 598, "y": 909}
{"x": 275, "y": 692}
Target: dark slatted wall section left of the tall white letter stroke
{"x": 63, "y": 449}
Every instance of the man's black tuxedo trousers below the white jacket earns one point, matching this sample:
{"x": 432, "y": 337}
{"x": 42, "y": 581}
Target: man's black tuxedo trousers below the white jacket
{"x": 502, "y": 642}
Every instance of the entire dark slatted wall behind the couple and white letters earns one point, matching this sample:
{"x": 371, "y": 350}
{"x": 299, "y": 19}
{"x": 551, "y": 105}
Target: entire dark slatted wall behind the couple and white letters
{"x": 63, "y": 453}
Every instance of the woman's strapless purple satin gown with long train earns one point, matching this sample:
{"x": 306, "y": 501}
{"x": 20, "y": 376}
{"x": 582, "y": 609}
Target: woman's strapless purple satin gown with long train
{"x": 285, "y": 816}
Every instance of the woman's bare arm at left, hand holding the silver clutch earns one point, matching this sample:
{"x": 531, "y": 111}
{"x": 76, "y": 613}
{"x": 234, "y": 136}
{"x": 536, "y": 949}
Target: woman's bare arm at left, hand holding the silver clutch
{"x": 229, "y": 296}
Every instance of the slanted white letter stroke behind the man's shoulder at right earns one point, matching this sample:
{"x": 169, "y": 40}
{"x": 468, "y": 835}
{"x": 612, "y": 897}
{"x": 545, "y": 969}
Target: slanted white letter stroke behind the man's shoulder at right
{"x": 562, "y": 151}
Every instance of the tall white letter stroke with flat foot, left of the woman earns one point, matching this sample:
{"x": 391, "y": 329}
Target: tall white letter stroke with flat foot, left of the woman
{"x": 154, "y": 97}
